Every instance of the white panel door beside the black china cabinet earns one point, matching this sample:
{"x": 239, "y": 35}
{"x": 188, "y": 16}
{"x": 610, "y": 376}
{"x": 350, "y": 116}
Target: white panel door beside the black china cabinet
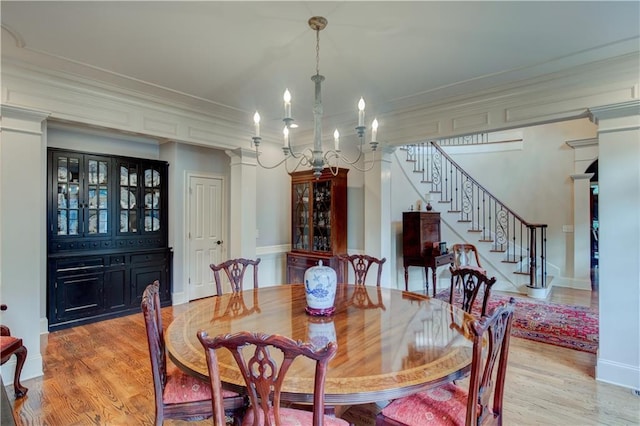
{"x": 205, "y": 233}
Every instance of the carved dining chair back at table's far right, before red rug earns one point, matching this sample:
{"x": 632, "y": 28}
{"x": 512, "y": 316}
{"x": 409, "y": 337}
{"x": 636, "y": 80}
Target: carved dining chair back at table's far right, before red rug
{"x": 470, "y": 281}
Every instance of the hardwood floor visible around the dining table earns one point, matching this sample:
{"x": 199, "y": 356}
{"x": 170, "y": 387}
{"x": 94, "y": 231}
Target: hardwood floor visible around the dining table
{"x": 99, "y": 374}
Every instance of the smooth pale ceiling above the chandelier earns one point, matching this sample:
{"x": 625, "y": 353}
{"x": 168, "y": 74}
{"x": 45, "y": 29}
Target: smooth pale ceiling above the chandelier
{"x": 239, "y": 56}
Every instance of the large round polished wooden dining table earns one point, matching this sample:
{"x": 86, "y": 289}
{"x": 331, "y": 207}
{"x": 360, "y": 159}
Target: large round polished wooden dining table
{"x": 391, "y": 343}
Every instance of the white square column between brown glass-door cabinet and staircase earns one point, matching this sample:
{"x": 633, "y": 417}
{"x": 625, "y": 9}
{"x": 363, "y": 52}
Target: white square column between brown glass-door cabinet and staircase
{"x": 378, "y": 230}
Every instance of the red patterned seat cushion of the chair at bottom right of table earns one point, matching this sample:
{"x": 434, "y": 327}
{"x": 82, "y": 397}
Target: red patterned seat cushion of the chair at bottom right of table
{"x": 444, "y": 405}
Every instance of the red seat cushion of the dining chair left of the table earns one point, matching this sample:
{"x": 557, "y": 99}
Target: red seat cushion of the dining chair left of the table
{"x": 182, "y": 387}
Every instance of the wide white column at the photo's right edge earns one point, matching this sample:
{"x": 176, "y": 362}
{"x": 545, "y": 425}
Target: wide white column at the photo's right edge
{"x": 619, "y": 243}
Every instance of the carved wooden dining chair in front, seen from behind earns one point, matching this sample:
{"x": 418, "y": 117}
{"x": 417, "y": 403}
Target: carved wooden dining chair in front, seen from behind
{"x": 264, "y": 376}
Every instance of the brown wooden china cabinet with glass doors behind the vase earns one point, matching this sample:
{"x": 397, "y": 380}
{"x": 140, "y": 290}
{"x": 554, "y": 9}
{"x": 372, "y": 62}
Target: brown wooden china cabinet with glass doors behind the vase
{"x": 318, "y": 222}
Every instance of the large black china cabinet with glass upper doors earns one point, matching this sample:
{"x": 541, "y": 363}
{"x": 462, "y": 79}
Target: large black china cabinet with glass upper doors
{"x": 107, "y": 230}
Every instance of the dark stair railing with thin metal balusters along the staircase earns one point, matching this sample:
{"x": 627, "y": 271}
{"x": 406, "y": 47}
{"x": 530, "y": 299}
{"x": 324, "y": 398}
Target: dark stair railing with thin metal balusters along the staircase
{"x": 523, "y": 243}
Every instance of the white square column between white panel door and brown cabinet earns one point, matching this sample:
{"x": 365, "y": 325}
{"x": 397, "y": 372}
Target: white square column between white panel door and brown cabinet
{"x": 242, "y": 200}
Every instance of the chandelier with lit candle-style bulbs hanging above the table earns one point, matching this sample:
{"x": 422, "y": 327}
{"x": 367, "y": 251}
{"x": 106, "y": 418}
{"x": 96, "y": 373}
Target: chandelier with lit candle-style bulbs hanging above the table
{"x": 316, "y": 157}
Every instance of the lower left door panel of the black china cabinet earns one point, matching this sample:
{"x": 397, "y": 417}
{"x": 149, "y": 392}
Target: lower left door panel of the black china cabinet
{"x": 79, "y": 295}
